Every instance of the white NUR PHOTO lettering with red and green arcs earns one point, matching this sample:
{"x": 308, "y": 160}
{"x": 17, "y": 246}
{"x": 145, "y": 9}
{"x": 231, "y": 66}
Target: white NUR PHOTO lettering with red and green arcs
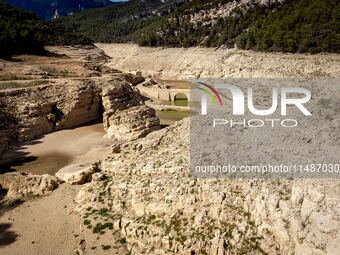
{"x": 211, "y": 94}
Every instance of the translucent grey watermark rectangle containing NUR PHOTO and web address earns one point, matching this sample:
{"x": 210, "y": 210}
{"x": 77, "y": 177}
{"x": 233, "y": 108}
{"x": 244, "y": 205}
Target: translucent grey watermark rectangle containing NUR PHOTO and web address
{"x": 264, "y": 128}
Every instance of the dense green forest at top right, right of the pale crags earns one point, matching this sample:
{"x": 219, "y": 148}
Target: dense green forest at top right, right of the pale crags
{"x": 300, "y": 26}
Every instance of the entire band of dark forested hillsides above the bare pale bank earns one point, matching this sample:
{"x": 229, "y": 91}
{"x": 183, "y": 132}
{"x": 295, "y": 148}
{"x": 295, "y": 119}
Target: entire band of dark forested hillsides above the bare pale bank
{"x": 292, "y": 26}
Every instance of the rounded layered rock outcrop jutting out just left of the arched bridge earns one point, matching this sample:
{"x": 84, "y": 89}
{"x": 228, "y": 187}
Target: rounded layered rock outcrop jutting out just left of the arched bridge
{"x": 125, "y": 116}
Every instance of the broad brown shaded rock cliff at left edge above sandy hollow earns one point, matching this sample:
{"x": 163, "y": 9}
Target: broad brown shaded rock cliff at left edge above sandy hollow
{"x": 48, "y": 108}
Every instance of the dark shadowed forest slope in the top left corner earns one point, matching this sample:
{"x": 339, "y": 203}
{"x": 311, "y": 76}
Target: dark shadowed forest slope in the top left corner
{"x": 22, "y": 32}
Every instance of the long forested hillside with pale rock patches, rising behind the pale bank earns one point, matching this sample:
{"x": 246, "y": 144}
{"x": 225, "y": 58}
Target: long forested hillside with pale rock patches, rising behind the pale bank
{"x": 288, "y": 26}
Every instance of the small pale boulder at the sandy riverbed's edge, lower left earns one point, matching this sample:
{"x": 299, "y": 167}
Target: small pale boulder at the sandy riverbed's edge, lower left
{"x": 78, "y": 173}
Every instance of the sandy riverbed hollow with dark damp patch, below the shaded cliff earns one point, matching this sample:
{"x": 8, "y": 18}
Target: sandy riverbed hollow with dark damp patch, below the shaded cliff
{"x": 54, "y": 151}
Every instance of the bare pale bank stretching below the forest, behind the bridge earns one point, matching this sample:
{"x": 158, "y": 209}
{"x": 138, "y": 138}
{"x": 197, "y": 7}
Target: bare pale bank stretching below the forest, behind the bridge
{"x": 190, "y": 63}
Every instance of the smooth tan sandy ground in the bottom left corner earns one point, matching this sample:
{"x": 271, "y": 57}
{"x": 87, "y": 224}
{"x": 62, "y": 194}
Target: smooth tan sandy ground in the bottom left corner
{"x": 43, "y": 226}
